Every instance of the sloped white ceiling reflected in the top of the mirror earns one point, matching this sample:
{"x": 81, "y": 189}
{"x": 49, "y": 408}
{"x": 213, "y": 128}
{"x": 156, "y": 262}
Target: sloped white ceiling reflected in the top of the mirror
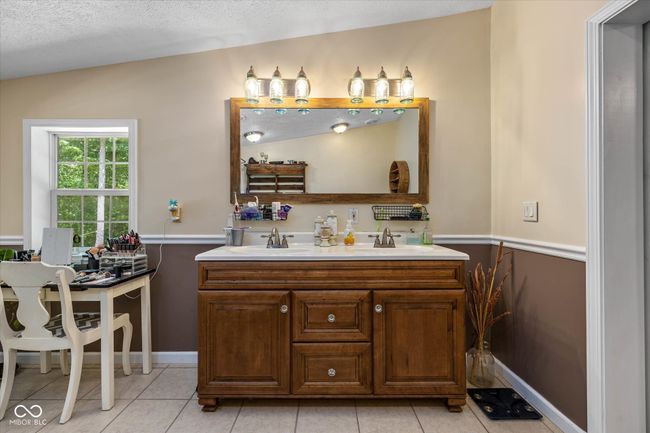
{"x": 292, "y": 124}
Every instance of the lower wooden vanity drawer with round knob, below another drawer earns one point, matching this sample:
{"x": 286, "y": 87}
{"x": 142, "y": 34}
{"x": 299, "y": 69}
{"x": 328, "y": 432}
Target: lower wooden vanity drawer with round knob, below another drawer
{"x": 331, "y": 368}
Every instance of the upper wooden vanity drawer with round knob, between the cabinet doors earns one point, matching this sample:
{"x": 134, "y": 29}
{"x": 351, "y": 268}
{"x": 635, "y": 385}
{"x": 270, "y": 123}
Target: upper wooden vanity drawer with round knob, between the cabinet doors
{"x": 332, "y": 315}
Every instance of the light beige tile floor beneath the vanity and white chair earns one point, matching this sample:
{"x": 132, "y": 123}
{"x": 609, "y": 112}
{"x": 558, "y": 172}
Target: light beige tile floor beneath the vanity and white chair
{"x": 165, "y": 401}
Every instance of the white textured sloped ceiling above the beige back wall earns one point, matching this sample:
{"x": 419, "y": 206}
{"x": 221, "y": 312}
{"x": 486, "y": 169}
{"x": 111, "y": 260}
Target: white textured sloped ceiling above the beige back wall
{"x": 42, "y": 36}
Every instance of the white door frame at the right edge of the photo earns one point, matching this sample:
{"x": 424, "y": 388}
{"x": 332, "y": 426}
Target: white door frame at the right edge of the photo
{"x": 615, "y": 286}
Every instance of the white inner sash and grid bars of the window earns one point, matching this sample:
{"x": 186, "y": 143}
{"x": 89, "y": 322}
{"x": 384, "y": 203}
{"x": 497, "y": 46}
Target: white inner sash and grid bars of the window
{"x": 56, "y": 192}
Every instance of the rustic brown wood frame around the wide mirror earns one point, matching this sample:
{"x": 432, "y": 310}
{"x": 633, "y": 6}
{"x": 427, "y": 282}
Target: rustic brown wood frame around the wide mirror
{"x": 422, "y": 196}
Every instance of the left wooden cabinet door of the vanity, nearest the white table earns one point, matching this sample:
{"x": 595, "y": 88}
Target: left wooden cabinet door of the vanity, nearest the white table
{"x": 244, "y": 342}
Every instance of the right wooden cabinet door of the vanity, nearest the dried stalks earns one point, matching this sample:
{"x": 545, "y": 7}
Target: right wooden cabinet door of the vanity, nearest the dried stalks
{"x": 418, "y": 342}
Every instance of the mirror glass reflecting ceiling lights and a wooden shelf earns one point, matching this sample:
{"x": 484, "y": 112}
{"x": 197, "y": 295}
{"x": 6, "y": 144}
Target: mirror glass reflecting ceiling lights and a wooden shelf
{"x": 329, "y": 150}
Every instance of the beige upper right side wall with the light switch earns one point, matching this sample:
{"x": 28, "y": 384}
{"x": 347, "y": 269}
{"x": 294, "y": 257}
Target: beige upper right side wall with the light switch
{"x": 538, "y": 117}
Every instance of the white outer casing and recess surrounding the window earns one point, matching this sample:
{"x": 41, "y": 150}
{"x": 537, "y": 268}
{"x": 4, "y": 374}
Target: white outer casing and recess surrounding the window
{"x": 33, "y": 209}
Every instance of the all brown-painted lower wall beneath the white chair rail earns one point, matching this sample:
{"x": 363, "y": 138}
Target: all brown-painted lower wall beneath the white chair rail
{"x": 543, "y": 342}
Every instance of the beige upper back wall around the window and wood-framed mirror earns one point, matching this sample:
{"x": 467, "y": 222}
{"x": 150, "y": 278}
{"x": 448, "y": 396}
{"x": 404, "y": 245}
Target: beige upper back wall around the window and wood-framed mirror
{"x": 180, "y": 103}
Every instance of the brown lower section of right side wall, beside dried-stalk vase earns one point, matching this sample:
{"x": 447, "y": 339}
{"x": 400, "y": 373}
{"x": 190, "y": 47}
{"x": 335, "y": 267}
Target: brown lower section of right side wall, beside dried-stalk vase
{"x": 544, "y": 340}
